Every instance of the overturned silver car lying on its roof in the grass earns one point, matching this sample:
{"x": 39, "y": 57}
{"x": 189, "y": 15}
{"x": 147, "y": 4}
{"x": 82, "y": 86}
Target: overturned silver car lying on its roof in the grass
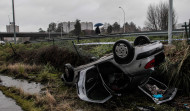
{"x": 130, "y": 66}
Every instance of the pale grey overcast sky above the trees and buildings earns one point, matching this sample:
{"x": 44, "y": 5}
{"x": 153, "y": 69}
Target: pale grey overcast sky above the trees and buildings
{"x": 34, "y": 14}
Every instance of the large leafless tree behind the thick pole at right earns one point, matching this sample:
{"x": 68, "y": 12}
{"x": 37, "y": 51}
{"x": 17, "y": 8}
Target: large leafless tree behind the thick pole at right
{"x": 157, "y": 17}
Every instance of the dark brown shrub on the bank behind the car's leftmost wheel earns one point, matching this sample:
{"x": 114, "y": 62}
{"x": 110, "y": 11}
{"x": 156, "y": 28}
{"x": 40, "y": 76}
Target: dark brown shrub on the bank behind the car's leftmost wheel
{"x": 52, "y": 55}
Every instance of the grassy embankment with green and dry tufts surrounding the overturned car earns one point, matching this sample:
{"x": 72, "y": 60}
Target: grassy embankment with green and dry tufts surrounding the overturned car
{"x": 44, "y": 63}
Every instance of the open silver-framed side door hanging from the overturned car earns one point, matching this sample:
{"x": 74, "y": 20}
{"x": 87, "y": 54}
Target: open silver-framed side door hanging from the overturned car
{"x": 90, "y": 87}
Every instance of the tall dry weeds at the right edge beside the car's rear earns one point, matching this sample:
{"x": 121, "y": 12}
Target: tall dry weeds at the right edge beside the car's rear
{"x": 176, "y": 70}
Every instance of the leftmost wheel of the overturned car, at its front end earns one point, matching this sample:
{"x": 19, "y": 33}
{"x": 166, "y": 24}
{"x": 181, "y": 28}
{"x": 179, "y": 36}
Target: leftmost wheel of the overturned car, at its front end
{"x": 68, "y": 75}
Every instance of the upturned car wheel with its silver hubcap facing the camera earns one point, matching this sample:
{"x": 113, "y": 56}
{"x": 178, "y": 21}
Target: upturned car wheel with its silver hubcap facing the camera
{"x": 123, "y": 52}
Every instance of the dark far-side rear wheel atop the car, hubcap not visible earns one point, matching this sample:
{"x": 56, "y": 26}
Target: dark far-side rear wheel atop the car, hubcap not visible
{"x": 141, "y": 40}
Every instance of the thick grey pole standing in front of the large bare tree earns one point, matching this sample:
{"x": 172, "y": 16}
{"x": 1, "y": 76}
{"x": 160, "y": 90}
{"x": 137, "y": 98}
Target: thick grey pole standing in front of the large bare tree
{"x": 170, "y": 21}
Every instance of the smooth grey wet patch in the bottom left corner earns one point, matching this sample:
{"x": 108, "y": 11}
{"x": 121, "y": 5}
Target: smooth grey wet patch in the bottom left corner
{"x": 8, "y": 104}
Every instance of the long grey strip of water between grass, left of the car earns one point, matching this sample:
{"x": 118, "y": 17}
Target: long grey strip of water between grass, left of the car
{"x": 23, "y": 84}
